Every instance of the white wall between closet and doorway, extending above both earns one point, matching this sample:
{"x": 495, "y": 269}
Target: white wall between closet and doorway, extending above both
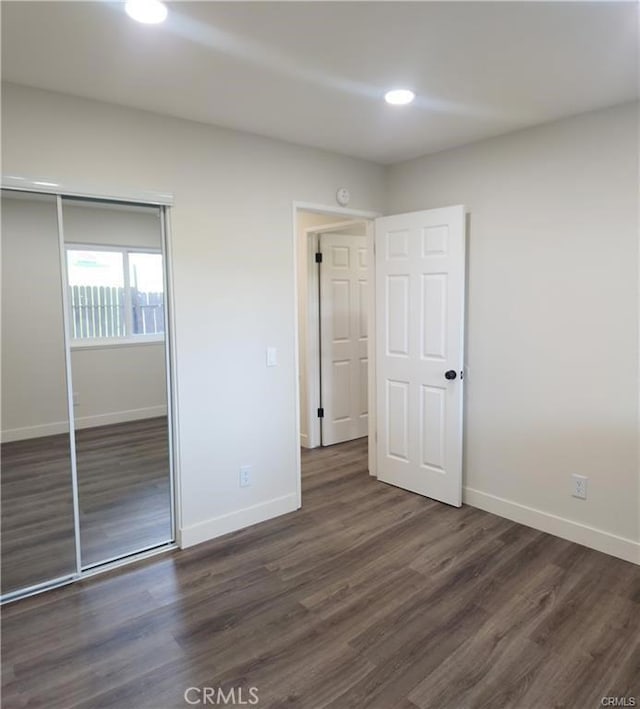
{"x": 233, "y": 277}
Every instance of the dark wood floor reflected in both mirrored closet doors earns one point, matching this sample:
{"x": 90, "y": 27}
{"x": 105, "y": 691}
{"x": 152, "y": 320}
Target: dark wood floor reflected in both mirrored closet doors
{"x": 123, "y": 491}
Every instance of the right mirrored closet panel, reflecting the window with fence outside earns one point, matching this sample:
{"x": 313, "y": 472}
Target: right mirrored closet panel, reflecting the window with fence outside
{"x": 115, "y": 292}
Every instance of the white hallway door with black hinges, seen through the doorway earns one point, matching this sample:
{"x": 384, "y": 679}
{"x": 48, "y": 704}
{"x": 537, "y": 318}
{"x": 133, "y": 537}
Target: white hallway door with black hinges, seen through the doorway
{"x": 343, "y": 335}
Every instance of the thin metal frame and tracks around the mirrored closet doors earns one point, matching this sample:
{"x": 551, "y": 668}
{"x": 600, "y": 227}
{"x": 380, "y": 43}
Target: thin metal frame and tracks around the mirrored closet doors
{"x": 162, "y": 201}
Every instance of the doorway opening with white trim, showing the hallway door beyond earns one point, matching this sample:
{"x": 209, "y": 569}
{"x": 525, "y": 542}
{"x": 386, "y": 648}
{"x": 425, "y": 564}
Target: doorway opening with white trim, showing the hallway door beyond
{"x": 335, "y": 302}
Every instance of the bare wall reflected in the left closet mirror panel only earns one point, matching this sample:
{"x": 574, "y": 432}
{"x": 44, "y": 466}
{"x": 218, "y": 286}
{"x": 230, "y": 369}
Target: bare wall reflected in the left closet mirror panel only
{"x": 34, "y": 390}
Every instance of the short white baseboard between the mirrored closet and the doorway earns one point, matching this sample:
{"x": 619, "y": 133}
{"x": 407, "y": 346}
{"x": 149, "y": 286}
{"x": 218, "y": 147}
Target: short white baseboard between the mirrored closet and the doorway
{"x": 217, "y": 526}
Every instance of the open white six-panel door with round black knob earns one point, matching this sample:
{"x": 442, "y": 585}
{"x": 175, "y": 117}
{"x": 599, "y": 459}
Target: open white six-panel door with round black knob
{"x": 420, "y": 280}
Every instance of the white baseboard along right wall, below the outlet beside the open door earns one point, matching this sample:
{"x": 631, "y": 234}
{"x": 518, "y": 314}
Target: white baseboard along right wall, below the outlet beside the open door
{"x": 597, "y": 539}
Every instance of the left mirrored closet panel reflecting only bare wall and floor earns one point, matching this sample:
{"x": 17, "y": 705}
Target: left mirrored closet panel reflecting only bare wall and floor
{"x": 37, "y": 511}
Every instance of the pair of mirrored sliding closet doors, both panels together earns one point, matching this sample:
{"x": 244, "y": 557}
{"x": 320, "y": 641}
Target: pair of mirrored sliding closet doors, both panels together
{"x": 86, "y": 445}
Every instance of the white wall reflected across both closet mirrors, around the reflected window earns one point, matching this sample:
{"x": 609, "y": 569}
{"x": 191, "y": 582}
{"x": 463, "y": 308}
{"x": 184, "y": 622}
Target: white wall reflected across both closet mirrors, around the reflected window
{"x": 111, "y": 384}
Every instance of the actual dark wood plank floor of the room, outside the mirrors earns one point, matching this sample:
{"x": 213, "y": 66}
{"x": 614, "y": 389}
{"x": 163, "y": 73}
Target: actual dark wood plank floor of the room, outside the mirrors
{"x": 368, "y": 597}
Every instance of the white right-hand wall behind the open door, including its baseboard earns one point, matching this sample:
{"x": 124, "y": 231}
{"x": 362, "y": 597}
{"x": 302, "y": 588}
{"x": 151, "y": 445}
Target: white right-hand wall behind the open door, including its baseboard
{"x": 552, "y": 335}
